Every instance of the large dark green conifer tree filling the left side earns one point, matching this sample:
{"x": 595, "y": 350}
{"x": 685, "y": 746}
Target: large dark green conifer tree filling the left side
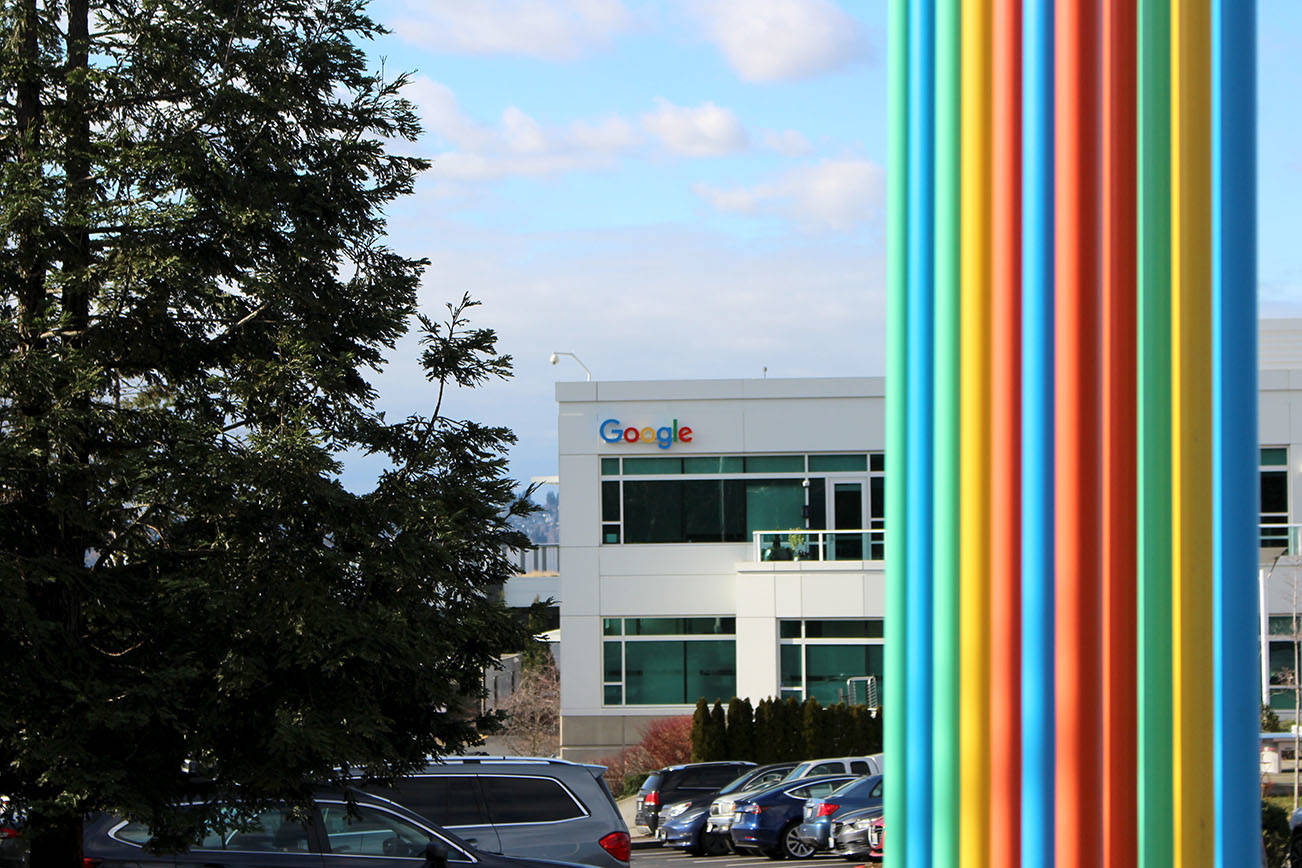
{"x": 195, "y": 293}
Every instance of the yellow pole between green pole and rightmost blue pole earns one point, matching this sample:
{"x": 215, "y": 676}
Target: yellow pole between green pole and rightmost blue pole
{"x": 1192, "y": 429}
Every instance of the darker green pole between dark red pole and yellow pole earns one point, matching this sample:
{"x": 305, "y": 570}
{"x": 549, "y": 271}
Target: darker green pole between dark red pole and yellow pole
{"x": 1157, "y": 818}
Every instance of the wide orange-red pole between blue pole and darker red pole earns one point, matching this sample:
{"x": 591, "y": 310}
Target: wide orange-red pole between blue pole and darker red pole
{"x": 1079, "y": 601}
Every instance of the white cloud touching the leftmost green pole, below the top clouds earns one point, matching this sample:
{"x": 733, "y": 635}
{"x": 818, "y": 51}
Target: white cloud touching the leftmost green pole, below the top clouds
{"x": 833, "y": 195}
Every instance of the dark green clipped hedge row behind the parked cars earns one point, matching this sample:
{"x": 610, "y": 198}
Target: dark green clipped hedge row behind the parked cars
{"x": 782, "y": 729}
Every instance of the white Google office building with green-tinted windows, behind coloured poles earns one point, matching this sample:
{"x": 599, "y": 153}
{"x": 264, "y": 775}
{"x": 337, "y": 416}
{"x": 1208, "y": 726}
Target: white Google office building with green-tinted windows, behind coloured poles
{"x": 726, "y": 538}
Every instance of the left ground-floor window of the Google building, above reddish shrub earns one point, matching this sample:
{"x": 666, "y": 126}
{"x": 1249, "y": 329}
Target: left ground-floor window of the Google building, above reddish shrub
{"x": 669, "y": 662}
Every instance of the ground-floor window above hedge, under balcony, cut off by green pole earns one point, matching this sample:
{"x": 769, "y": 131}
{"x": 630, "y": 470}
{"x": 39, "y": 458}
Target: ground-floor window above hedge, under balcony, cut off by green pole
{"x": 830, "y": 660}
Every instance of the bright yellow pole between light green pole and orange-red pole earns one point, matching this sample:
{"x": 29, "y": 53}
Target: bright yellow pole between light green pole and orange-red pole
{"x": 975, "y": 439}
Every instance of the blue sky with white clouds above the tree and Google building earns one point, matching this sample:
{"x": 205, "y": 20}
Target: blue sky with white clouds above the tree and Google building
{"x": 683, "y": 189}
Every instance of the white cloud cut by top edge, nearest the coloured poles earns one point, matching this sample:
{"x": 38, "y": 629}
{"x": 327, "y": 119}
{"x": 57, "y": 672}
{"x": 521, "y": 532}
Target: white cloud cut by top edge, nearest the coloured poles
{"x": 769, "y": 41}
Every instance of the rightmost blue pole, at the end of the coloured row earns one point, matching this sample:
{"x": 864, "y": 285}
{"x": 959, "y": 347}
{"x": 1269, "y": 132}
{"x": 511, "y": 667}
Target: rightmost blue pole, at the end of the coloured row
{"x": 1235, "y": 431}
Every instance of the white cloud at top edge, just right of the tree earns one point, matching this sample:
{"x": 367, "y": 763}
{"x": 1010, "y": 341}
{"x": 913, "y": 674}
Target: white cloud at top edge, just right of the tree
{"x": 546, "y": 29}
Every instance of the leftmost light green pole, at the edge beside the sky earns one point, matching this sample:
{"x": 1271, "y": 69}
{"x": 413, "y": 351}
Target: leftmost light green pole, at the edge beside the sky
{"x": 898, "y": 355}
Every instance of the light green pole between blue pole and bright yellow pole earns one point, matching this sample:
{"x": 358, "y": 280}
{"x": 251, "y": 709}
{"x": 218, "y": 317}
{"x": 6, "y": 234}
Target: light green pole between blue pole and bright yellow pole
{"x": 946, "y": 539}
